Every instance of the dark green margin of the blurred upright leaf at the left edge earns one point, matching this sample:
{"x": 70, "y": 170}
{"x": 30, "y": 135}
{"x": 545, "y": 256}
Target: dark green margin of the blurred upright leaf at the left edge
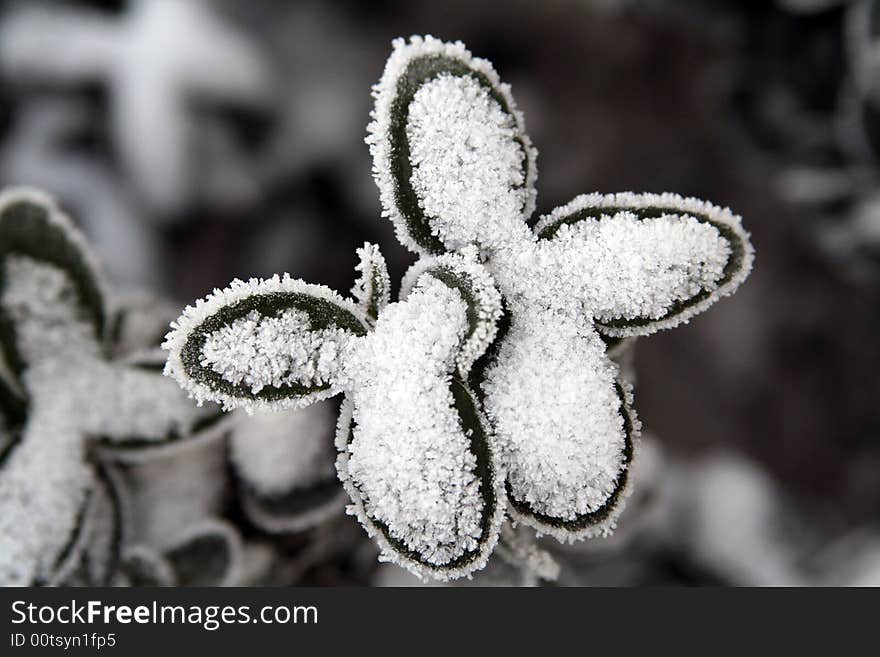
{"x": 25, "y": 230}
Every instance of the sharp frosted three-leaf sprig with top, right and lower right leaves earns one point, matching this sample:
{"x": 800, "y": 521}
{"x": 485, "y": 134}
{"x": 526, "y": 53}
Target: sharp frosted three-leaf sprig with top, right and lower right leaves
{"x": 455, "y": 169}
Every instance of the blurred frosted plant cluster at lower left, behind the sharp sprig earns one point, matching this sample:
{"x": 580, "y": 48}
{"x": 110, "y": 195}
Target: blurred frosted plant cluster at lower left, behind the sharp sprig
{"x": 108, "y": 473}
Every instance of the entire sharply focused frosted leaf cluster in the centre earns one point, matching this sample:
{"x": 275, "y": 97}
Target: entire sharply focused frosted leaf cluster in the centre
{"x": 487, "y": 389}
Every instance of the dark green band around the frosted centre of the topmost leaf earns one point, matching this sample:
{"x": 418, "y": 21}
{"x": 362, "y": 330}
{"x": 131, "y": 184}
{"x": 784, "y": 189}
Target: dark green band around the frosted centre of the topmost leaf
{"x": 419, "y": 72}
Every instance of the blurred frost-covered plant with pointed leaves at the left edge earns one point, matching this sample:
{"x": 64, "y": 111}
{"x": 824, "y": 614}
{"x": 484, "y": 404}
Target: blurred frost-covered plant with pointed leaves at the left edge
{"x": 61, "y": 393}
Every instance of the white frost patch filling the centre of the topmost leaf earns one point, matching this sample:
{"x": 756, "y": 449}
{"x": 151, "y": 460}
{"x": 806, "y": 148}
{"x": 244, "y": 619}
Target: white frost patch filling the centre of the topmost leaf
{"x": 467, "y": 164}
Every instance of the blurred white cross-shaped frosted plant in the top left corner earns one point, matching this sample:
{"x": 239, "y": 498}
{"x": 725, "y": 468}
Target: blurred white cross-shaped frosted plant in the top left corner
{"x": 154, "y": 59}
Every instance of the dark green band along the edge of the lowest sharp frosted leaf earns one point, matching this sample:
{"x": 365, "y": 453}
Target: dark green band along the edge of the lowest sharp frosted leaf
{"x": 484, "y": 471}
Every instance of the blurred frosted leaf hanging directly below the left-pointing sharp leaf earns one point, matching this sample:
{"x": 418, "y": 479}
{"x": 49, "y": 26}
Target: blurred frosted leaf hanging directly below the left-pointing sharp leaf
{"x": 285, "y": 465}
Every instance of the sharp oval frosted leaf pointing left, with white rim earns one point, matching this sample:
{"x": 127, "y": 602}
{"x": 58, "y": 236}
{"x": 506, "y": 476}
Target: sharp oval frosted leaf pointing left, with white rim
{"x": 276, "y": 342}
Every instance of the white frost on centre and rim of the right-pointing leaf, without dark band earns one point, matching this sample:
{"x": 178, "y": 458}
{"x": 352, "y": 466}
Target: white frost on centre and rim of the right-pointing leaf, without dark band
{"x": 655, "y": 262}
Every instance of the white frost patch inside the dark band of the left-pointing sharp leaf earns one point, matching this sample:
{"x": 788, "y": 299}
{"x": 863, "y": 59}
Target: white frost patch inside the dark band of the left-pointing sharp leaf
{"x": 274, "y": 351}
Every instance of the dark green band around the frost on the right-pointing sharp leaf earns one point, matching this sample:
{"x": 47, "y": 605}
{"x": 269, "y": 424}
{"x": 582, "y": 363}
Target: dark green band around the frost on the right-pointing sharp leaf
{"x": 733, "y": 265}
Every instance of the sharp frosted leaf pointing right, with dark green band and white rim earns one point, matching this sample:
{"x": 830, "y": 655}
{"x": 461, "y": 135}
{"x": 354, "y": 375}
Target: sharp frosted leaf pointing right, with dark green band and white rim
{"x": 655, "y": 260}
